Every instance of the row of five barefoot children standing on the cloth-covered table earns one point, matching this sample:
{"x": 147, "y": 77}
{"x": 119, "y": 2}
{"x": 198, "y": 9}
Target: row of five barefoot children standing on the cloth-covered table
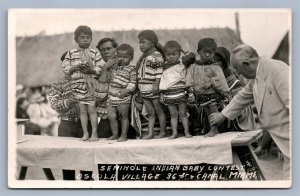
{"x": 163, "y": 75}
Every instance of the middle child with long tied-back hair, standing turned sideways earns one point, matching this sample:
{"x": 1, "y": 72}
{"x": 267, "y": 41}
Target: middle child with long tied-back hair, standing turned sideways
{"x": 149, "y": 73}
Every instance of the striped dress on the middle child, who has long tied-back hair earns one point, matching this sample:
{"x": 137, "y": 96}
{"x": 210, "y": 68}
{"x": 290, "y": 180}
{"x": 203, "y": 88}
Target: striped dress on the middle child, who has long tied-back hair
{"x": 150, "y": 69}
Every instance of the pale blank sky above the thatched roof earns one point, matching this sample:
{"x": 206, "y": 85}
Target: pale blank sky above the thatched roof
{"x": 261, "y": 28}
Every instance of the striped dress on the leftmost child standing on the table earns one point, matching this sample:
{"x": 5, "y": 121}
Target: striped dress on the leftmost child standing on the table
{"x": 83, "y": 85}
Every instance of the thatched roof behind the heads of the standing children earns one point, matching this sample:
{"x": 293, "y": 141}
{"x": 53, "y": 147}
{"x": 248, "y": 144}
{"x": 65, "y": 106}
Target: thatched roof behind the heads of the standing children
{"x": 38, "y": 57}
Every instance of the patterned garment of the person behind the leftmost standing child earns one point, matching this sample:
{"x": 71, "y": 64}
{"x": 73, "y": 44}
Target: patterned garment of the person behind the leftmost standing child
{"x": 59, "y": 93}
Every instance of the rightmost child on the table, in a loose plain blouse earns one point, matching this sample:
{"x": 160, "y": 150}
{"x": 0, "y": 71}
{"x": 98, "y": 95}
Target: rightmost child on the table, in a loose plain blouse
{"x": 206, "y": 80}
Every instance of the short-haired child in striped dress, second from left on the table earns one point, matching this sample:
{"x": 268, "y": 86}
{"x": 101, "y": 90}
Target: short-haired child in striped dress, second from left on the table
{"x": 122, "y": 83}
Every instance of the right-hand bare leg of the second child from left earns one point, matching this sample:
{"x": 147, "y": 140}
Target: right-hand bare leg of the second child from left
{"x": 123, "y": 111}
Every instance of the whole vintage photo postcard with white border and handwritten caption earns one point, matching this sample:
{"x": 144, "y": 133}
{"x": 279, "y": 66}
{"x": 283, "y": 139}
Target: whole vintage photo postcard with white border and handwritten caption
{"x": 149, "y": 98}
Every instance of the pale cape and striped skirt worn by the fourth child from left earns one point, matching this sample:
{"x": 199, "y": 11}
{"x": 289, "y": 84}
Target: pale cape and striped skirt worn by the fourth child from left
{"x": 172, "y": 84}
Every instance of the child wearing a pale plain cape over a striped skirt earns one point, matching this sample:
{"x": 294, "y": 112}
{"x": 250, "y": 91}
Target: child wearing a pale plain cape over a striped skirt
{"x": 173, "y": 87}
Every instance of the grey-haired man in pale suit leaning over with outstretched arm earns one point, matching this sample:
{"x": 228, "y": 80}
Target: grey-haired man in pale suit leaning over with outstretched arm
{"x": 270, "y": 91}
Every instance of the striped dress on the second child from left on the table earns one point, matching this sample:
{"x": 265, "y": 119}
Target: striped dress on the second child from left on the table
{"x": 121, "y": 77}
